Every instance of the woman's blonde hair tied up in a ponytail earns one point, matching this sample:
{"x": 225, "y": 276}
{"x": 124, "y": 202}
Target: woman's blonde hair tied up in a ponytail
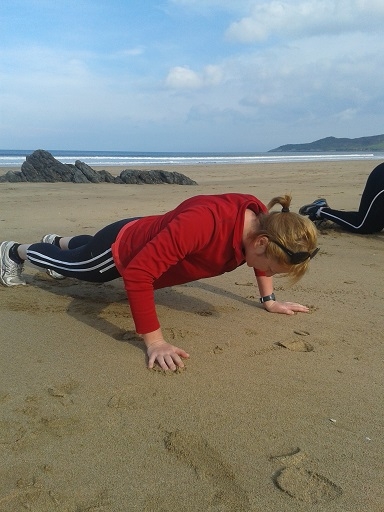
{"x": 295, "y": 232}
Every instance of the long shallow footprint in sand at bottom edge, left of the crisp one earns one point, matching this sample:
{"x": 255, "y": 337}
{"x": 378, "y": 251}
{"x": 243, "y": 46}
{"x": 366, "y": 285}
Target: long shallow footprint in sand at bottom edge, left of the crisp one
{"x": 206, "y": 461}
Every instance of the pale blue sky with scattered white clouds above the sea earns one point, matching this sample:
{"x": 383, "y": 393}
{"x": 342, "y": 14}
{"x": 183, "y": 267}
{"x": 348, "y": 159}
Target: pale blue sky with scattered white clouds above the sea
{"x": 188, "y": 75}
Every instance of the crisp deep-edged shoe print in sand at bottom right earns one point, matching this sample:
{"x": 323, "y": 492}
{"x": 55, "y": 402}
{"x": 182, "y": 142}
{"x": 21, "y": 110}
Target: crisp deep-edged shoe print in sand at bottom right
{"x": 301, "y": 483}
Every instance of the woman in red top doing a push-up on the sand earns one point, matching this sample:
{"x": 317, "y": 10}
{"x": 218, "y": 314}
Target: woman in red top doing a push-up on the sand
{"x": 205, "y": 236}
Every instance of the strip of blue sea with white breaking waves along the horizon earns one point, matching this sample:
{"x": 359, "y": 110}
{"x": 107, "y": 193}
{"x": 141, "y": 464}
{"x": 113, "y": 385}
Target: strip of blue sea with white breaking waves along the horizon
{"x": 15, "y": 158}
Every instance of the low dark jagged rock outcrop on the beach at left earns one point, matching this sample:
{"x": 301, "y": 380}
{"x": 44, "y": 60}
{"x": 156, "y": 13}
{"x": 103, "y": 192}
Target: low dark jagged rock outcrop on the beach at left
{"x": 41, "y": 166}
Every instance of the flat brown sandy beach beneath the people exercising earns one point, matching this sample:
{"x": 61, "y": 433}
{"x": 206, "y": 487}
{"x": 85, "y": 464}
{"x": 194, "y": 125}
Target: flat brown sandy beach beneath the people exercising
{"x": 273, "y": 413}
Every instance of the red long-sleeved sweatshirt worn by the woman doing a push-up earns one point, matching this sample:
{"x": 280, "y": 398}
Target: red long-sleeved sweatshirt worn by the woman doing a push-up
{"x": 200, "y": 238}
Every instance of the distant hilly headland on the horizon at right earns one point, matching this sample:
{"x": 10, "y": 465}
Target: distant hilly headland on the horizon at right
{"x": 374, "y": 143}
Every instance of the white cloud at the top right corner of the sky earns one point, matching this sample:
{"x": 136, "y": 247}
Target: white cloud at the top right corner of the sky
{"x": 281, "y": 19}
